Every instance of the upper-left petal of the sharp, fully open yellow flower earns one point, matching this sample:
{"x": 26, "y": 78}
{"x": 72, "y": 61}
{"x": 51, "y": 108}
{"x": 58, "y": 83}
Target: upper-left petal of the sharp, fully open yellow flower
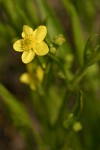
{"x": 27, "y": 31}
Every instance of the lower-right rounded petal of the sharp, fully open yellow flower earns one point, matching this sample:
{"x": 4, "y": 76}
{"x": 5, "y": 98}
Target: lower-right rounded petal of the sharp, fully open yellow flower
{"x": 41, "y": 48}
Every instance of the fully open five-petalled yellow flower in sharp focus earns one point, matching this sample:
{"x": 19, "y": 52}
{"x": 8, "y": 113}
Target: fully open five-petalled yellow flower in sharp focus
{"x": 32, "y": 43}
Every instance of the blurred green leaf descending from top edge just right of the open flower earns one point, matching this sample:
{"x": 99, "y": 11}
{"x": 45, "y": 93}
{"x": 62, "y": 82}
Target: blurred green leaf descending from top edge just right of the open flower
{"x": 48, "y": 15}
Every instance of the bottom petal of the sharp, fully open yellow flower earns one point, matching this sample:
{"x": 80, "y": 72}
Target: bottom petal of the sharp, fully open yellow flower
{"x": 27, "y": 56}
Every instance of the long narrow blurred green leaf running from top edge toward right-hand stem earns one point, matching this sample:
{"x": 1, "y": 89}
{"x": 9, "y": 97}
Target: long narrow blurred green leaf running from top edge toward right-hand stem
{"x": 77, "y": 29}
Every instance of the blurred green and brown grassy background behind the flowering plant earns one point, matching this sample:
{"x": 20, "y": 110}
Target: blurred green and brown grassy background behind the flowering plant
{"x": 76, "y": 20}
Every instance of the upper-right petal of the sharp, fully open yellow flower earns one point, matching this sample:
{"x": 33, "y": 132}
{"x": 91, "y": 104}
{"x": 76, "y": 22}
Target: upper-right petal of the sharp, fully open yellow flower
{"x": 40, "y": 33}
